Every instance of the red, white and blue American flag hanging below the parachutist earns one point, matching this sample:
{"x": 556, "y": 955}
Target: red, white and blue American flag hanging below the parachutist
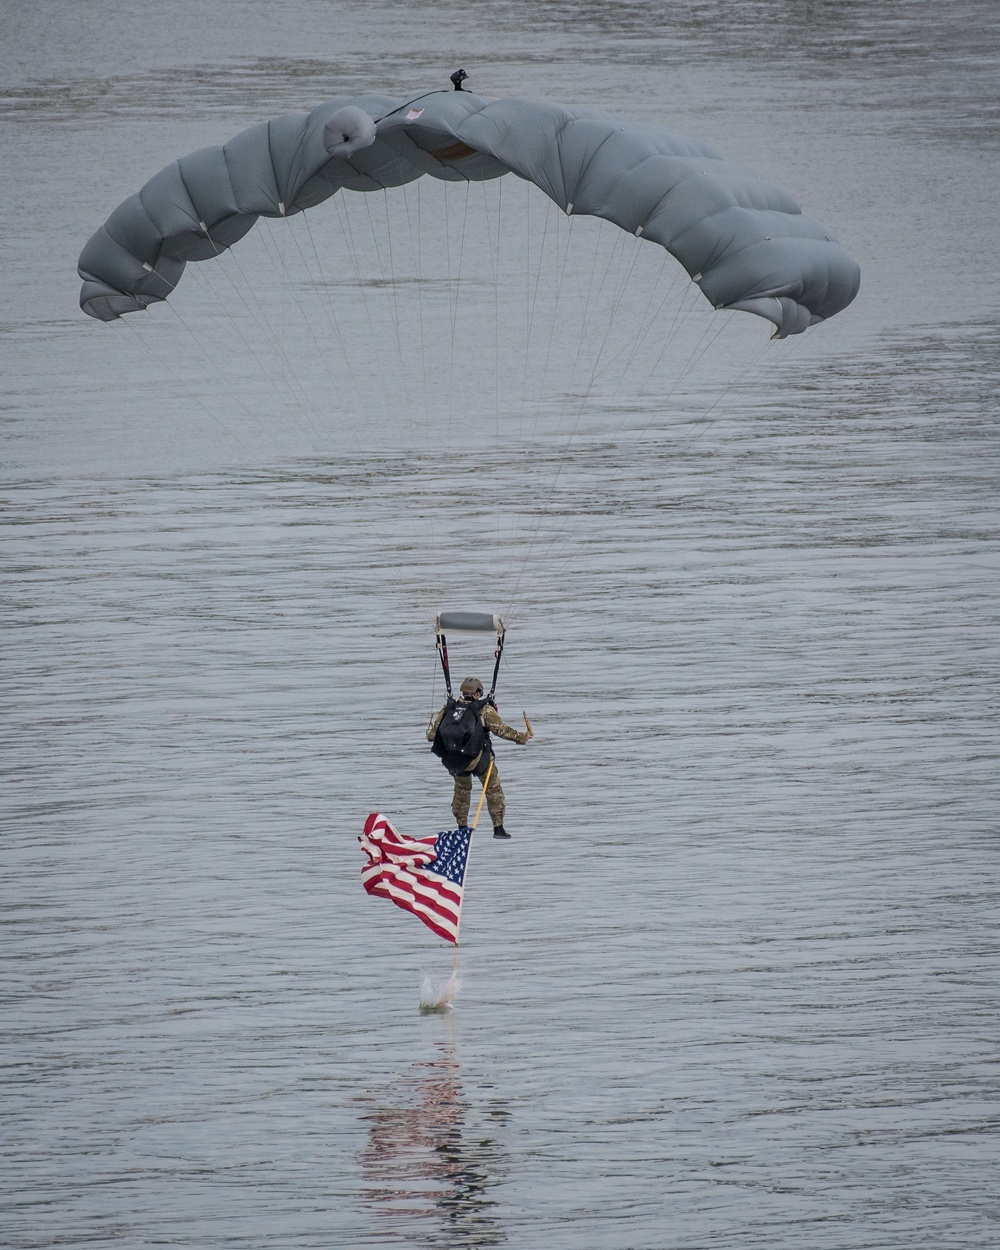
{"x": 423, "y": 876}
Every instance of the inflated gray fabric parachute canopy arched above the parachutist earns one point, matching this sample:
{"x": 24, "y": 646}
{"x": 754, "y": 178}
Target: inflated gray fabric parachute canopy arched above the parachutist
{"x": 746, "y": 242}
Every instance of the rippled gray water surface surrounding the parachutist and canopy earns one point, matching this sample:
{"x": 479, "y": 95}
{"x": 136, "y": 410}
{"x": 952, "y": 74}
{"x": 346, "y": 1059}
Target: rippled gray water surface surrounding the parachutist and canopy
{"x": 733, "y": 984}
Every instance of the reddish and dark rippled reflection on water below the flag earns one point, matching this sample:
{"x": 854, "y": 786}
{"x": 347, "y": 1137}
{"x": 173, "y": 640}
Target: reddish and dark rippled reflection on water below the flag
{"x": 424, "y": 1159}
